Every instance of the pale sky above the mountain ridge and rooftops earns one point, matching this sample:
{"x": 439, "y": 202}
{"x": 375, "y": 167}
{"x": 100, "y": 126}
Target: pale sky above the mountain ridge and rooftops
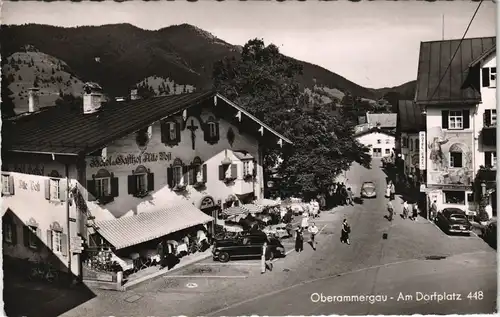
{"x": 374, "y": 44}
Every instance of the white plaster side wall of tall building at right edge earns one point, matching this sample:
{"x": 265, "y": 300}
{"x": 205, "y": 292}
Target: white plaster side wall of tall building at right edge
{"x": 488, "y": 101}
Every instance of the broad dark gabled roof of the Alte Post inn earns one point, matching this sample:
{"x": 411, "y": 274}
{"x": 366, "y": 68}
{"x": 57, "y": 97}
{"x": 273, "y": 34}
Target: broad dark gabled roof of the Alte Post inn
{"x": 65, "y": 131}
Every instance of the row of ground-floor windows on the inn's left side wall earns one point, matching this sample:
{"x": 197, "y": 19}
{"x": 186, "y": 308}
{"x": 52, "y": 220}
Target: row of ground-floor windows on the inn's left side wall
{"x": 32, "y": 238}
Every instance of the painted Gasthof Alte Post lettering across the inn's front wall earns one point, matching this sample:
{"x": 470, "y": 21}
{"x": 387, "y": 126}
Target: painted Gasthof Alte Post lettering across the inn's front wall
{"x": 130, "y": 159}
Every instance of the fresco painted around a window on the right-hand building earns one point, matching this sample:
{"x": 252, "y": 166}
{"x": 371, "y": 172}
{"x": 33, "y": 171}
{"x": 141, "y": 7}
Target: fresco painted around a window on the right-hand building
{"x": 449, "y": 157}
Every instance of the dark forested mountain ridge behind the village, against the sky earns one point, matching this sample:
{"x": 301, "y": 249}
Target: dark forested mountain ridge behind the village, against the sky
{"x": 121, "y": 55}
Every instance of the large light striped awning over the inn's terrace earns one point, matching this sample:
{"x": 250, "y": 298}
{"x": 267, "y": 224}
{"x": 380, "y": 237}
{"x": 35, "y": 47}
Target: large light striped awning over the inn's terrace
{"x": 128, "y": 231}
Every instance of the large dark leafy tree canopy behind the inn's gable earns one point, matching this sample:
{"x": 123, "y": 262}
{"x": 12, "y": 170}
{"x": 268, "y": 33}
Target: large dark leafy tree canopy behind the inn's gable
{"x": 265, "y": 83}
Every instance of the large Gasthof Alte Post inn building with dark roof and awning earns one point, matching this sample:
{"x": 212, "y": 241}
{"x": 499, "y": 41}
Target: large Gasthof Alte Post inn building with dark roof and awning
{"x": 125, "y": 172}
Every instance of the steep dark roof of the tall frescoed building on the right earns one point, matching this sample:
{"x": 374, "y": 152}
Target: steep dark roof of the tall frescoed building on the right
{"x": 434, "y": 59}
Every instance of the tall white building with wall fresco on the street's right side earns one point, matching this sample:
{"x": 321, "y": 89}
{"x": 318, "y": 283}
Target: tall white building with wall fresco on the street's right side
{"x": 455, "y": 103}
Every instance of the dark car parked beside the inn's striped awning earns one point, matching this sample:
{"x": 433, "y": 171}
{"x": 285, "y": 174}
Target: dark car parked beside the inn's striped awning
{"x": 246, "y": 246}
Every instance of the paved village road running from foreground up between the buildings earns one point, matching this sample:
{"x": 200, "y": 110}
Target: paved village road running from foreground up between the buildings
{"x": 383, "y": 258}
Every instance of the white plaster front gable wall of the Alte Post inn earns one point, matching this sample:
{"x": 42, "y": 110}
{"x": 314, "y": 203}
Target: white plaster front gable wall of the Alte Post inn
{"x": 126, "y": 205}
